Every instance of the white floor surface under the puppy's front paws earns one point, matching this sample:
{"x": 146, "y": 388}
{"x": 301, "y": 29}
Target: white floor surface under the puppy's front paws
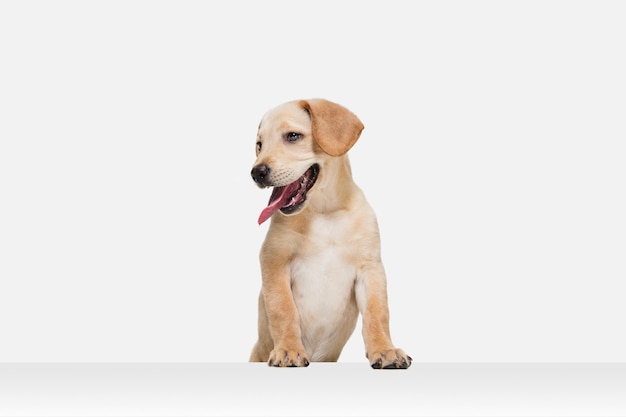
{"x": 337, "y": 389}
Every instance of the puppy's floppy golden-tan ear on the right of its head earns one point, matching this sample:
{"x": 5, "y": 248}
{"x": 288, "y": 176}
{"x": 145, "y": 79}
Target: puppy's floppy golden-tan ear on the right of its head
{"x": 335, "y": 128}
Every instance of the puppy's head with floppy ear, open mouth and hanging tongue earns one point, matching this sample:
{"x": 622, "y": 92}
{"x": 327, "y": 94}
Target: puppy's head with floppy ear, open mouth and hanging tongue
{"x": 294, "y": 142}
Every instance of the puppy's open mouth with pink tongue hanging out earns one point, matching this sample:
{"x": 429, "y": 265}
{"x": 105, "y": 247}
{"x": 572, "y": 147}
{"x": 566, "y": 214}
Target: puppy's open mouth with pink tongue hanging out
{"x": 289, "y": 198}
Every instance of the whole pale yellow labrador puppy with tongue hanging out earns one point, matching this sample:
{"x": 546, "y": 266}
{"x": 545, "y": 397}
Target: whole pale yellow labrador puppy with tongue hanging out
{"x": 320, "y": 261}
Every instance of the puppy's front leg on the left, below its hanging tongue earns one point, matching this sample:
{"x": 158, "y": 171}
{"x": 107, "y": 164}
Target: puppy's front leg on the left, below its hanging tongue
{"x": 283, "y": 317}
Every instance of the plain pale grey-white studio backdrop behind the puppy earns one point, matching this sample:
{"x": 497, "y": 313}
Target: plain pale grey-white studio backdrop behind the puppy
{"x": 493, "y": 153}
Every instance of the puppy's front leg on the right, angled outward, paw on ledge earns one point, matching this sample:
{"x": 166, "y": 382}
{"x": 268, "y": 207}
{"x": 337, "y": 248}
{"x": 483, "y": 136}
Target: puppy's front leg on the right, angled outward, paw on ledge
{"x": 371, "y": 295}
